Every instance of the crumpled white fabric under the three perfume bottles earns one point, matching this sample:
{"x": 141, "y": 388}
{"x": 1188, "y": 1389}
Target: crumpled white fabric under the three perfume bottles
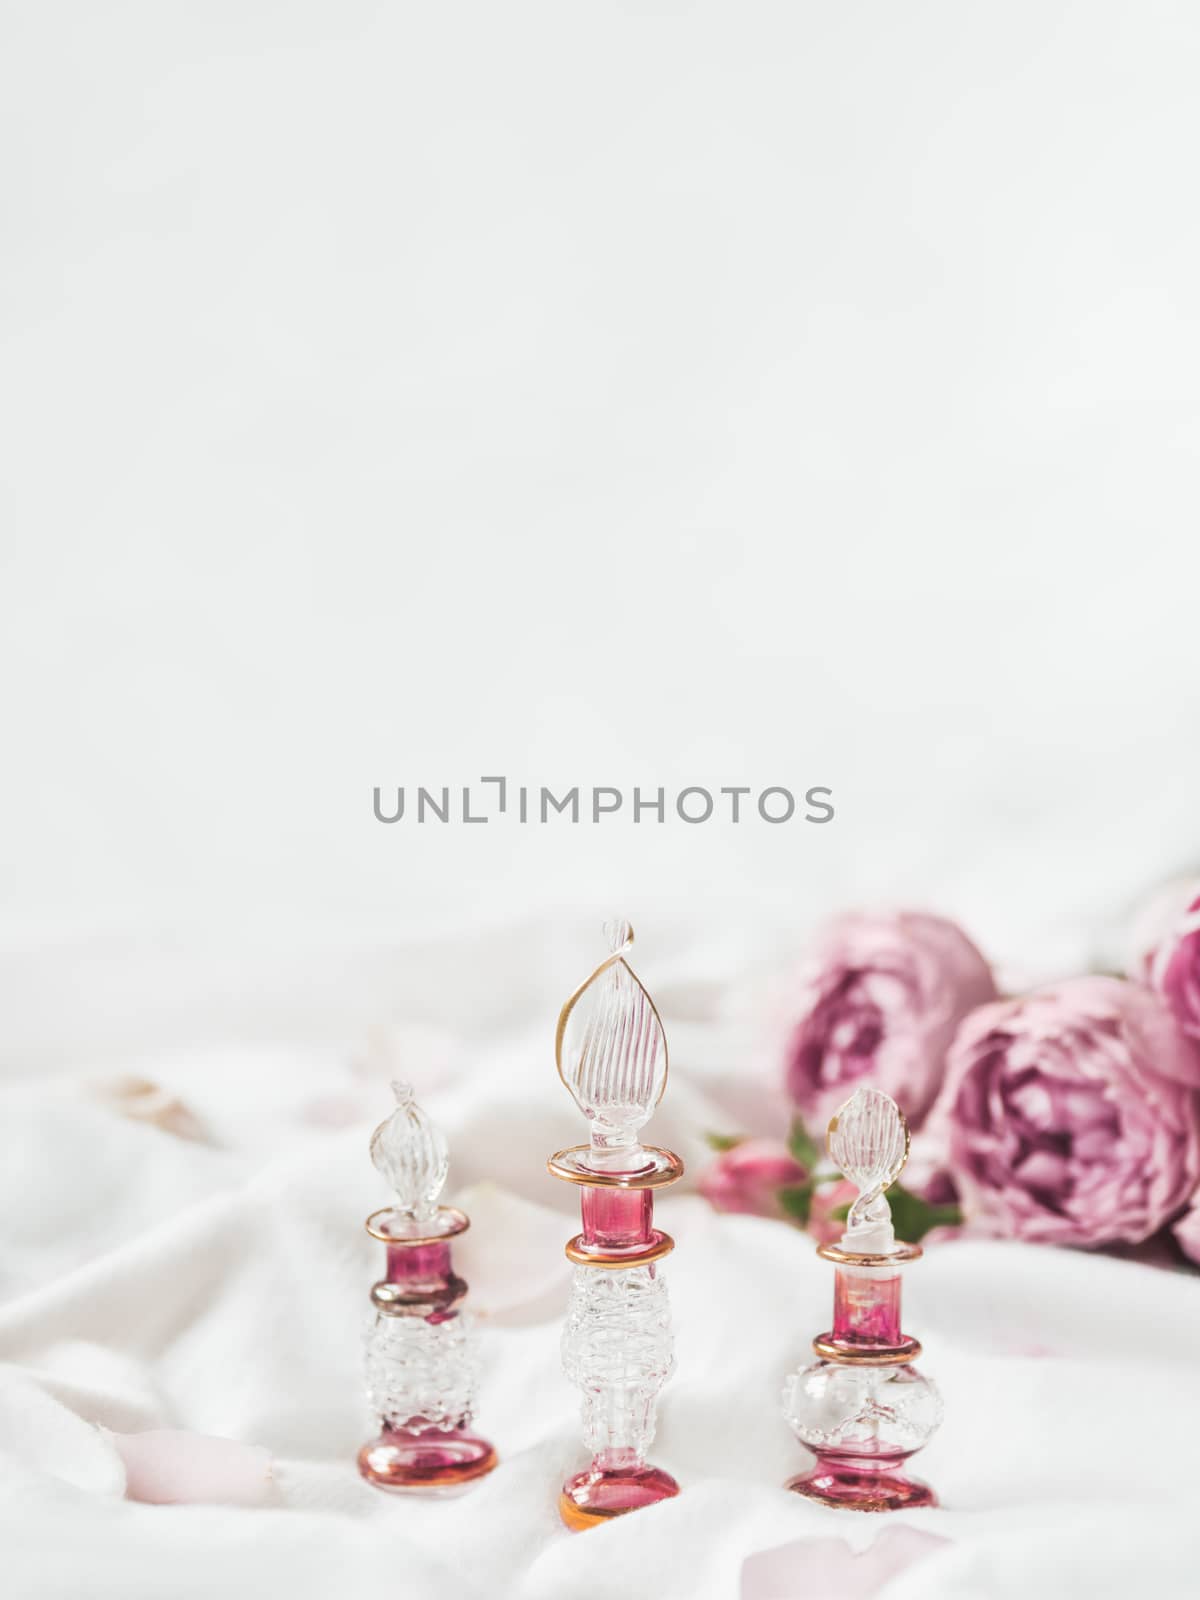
{"x": 204, "y": 1290}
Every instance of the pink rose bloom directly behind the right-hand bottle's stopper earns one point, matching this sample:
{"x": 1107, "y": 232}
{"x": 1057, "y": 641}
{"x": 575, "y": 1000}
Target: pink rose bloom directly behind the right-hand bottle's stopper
{"x": 881, "y": 1001}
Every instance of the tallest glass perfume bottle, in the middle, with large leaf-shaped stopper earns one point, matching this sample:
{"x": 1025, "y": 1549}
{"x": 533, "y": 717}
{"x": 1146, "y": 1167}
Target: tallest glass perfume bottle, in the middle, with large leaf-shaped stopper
{"x": 617, "y": 1346}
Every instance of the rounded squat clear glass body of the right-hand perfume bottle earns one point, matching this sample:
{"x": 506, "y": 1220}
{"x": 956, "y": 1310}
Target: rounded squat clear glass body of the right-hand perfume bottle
{"x": 865, "y": 1414}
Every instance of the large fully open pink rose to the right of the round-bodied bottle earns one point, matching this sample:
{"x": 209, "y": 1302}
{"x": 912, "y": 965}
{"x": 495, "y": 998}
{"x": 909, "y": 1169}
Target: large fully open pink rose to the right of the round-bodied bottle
{"x": 1073, "y": 1114}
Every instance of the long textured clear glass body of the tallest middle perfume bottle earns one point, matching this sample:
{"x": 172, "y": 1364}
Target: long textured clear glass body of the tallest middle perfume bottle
{"x": 618, "y": 1350}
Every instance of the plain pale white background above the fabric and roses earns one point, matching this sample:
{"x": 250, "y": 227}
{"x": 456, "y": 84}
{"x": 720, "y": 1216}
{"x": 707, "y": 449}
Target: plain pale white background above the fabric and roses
{"x": 596, "y": 394}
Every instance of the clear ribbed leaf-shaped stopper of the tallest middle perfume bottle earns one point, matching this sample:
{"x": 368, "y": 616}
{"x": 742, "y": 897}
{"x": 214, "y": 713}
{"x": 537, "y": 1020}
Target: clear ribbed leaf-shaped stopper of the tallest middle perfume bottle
{"x": 612, "y": 1054}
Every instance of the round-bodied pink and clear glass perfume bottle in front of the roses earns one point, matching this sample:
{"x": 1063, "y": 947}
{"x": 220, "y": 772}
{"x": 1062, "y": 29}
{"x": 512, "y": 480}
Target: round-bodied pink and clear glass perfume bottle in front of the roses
{"x": 863, "y": 1409}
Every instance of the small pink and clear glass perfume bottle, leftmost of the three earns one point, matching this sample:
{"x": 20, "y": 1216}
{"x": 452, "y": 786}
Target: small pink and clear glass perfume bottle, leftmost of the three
{"x": 422, "y": 1356}
